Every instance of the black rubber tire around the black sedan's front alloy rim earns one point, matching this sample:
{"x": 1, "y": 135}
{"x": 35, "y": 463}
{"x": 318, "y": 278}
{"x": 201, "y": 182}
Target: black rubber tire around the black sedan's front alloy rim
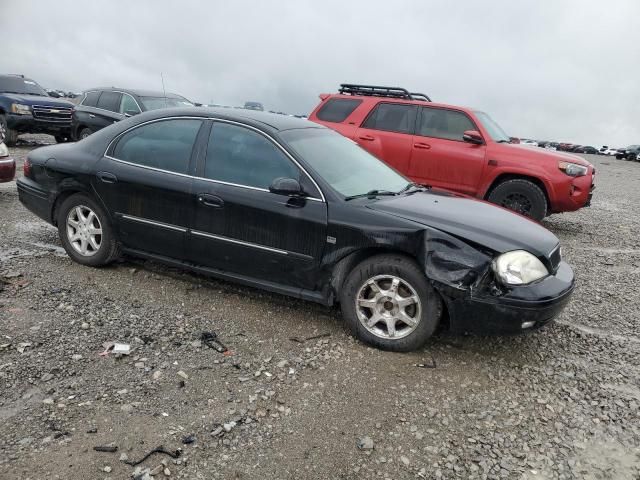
{"x": 405, "y": 269}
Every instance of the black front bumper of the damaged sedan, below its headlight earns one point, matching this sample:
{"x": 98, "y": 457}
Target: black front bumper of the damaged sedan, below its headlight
{"x": 509, "y": 310}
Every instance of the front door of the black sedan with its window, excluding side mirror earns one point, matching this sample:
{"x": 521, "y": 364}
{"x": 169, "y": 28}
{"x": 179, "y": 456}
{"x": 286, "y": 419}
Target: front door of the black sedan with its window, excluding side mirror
{"x": 239, "y": 226}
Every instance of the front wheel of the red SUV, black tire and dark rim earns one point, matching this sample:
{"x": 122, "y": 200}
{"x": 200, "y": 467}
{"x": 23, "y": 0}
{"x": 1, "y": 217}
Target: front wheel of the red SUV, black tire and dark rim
{"x": 521, "y": 196}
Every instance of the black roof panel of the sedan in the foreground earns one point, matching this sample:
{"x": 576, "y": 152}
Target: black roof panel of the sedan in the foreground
{"x": 273, "y": 121}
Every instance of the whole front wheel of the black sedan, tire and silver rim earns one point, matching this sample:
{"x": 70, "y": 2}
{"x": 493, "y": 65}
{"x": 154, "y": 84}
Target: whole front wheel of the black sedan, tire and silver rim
{"x": 388, "y": 303}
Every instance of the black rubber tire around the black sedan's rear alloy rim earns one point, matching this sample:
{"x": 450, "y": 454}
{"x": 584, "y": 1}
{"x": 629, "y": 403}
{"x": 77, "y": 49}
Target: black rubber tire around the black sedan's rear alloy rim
{"x": 109, "y": 248}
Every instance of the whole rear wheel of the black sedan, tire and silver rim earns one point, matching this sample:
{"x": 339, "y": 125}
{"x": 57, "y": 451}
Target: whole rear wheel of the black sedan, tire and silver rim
{"x": 85, "y": 231}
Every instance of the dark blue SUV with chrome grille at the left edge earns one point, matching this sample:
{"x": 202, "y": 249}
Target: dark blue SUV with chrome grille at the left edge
{"x": 26, "y": 108}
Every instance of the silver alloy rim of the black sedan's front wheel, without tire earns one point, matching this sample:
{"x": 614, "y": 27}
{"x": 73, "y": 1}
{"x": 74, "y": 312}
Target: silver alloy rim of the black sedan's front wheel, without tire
{"x": 388, "y": 307}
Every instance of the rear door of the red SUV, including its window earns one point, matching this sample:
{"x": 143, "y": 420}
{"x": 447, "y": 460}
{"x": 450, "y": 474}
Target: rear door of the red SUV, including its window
{"x": 387, "y": 133}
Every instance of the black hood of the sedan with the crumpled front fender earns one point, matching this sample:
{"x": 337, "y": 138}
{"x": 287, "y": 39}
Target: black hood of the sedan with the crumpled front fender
{"x": 464, "y": 217}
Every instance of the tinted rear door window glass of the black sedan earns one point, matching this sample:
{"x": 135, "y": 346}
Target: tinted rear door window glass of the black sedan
{"x": 165, "y": 145}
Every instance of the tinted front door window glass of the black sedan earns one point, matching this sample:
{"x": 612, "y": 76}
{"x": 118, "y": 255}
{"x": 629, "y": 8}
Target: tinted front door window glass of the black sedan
{"x": 244, "y": 157}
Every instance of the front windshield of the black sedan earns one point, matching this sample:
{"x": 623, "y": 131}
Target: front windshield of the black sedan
{"x": 343, "y": 164}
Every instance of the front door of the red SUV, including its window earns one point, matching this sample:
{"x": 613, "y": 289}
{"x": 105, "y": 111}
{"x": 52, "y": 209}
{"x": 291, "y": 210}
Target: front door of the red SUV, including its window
{"x": 439, "y": 155}
